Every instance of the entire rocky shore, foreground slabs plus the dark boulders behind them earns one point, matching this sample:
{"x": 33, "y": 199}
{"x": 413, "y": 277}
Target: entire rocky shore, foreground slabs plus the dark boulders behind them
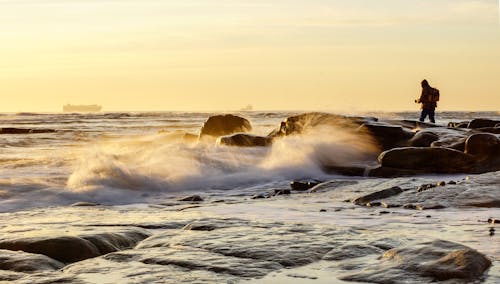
{"x": 421, "y": 205}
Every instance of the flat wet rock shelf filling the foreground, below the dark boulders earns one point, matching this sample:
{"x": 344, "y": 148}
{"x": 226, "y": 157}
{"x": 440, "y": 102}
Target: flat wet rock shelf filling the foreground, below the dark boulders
{"x": 375, "y": 230}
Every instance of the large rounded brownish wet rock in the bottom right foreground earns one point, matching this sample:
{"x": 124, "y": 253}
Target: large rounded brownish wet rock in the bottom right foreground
{"x": 425, "y": 262}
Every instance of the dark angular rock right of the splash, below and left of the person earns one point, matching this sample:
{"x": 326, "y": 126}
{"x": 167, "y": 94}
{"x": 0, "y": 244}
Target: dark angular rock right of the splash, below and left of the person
{"x": 388, "y": 136}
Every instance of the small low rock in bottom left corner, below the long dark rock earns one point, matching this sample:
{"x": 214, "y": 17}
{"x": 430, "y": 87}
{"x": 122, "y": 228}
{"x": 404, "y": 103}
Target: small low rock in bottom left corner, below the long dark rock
{"x": 27, "y": 262}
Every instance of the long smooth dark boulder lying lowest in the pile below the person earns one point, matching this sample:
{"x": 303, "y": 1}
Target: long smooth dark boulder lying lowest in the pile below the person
{"x": 431, "y": 160}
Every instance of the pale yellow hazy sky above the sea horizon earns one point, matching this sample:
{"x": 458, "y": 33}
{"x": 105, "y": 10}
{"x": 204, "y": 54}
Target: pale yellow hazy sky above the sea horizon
{"x": 205, "y": 55}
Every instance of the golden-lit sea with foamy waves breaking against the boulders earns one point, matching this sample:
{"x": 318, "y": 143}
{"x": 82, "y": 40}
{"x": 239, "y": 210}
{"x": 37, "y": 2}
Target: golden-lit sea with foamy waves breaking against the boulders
{"x": 140, "y": 157}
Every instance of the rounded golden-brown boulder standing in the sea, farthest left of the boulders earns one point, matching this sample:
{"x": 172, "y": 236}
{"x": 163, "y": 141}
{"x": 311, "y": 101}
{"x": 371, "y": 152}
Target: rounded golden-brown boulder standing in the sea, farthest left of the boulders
{"x": 221, "y": 125}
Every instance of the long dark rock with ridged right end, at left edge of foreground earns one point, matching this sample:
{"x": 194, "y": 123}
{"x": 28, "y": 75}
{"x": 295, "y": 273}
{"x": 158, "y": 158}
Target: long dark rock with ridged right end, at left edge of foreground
{"x": 69, "y": 249}
